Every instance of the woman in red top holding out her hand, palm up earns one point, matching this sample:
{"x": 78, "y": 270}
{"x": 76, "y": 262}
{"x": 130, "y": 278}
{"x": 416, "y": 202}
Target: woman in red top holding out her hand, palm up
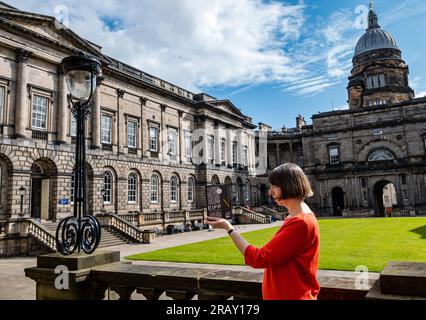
{"x": 290, "y": 258}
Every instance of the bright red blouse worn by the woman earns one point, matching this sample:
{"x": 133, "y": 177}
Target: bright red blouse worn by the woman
{"x": 290, "y": 260}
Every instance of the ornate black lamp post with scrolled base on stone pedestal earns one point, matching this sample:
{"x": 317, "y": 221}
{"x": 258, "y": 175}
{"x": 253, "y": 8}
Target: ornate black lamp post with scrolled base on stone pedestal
{"x": 81, "y": 231}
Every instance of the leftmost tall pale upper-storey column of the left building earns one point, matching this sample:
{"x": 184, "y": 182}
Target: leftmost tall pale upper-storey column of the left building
{"x": 21, "y": 110}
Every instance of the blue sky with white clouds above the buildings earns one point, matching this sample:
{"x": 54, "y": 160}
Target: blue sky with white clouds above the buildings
{"x": 272, "y": 59}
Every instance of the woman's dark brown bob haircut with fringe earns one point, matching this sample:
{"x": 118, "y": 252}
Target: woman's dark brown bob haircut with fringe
{"x": 292, "y": 181}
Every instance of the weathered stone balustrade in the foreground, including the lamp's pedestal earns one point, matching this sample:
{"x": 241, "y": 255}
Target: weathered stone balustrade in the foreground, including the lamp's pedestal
{"x": 103, "y": 276}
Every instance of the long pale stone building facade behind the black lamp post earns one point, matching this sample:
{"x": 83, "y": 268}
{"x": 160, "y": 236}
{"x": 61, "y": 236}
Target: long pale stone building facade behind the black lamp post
{"x": 152, "y": 146}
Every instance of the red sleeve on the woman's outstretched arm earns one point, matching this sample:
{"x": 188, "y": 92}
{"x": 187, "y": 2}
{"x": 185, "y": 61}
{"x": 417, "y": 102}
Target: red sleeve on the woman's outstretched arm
{"x": 282, "y": 247}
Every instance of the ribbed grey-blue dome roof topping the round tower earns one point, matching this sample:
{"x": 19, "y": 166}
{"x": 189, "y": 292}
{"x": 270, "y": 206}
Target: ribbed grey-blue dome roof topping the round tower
{"x": 374, "y": 38}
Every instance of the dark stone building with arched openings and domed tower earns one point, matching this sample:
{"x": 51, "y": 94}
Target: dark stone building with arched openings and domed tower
{"x": 355, "y": 158}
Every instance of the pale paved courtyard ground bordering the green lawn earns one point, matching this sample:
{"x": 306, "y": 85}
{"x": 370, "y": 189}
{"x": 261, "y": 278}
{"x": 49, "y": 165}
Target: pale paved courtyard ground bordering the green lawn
{"x": 15, "y": 286}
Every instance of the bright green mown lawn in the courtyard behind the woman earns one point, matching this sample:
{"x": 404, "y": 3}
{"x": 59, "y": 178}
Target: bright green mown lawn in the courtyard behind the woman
{"x": 345, "y": 244}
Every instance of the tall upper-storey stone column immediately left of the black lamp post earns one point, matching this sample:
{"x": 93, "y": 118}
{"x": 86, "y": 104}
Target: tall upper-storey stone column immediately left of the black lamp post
{"x": 64, "y": 113}
